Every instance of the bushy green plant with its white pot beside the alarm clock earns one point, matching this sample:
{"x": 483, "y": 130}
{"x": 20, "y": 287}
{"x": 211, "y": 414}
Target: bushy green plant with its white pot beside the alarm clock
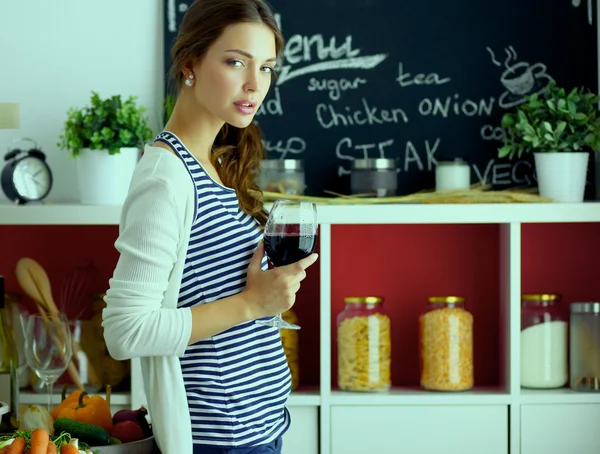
{"x": 105, "y": 137}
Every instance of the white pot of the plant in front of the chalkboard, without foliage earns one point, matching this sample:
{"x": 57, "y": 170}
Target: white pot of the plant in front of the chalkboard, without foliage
{"x": 562, "y": 175}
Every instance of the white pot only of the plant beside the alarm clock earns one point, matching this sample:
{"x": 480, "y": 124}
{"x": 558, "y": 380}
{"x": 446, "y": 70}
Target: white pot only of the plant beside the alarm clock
{"x": 104, "y": 179}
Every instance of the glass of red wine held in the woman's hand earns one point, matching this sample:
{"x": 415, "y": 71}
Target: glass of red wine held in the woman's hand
{"x": 290, "y": 235}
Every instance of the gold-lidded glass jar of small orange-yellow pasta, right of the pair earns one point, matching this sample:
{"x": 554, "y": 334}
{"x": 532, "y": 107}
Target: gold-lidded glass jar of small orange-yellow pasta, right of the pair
{"x": 446, "y": 337}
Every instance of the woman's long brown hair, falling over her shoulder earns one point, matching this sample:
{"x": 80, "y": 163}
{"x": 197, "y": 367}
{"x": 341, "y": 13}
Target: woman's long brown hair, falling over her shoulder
{"x": 238, "y": 151}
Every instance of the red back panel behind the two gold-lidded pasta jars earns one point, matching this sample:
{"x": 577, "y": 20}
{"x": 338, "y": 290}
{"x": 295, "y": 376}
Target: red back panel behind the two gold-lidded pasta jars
{"x": 408, "y": 263}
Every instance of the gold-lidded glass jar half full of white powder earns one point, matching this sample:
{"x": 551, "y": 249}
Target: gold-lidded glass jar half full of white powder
{"x": 544, "y": 341}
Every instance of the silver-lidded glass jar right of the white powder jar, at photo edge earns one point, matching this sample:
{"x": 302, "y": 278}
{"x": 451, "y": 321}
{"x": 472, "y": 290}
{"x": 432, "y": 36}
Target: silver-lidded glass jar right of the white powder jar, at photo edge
{"x": 585, "y": 346}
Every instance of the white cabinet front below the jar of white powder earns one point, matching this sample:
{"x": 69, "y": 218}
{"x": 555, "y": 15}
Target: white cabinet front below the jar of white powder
{"x": 560, "y": 429}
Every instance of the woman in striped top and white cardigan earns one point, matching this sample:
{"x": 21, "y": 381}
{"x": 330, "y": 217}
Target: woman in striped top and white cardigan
{"x": 192, "y": 278}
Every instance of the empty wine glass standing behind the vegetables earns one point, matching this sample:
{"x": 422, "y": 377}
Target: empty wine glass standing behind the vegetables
{"x": 48, "y": 347}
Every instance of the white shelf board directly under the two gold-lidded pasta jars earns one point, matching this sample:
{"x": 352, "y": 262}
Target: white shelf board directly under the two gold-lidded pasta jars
{"x": 409, "y": 396}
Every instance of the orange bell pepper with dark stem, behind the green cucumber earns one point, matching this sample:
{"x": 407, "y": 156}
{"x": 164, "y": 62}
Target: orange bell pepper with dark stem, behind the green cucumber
{"x": 88, "y": 409}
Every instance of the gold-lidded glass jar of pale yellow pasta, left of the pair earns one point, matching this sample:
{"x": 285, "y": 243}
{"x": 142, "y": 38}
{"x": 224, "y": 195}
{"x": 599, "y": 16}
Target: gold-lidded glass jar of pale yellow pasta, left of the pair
{"x": 364, "y": 345}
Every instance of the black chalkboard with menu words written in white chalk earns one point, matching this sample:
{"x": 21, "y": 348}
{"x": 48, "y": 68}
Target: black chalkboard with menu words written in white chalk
{"x": 417, "y": 81}
